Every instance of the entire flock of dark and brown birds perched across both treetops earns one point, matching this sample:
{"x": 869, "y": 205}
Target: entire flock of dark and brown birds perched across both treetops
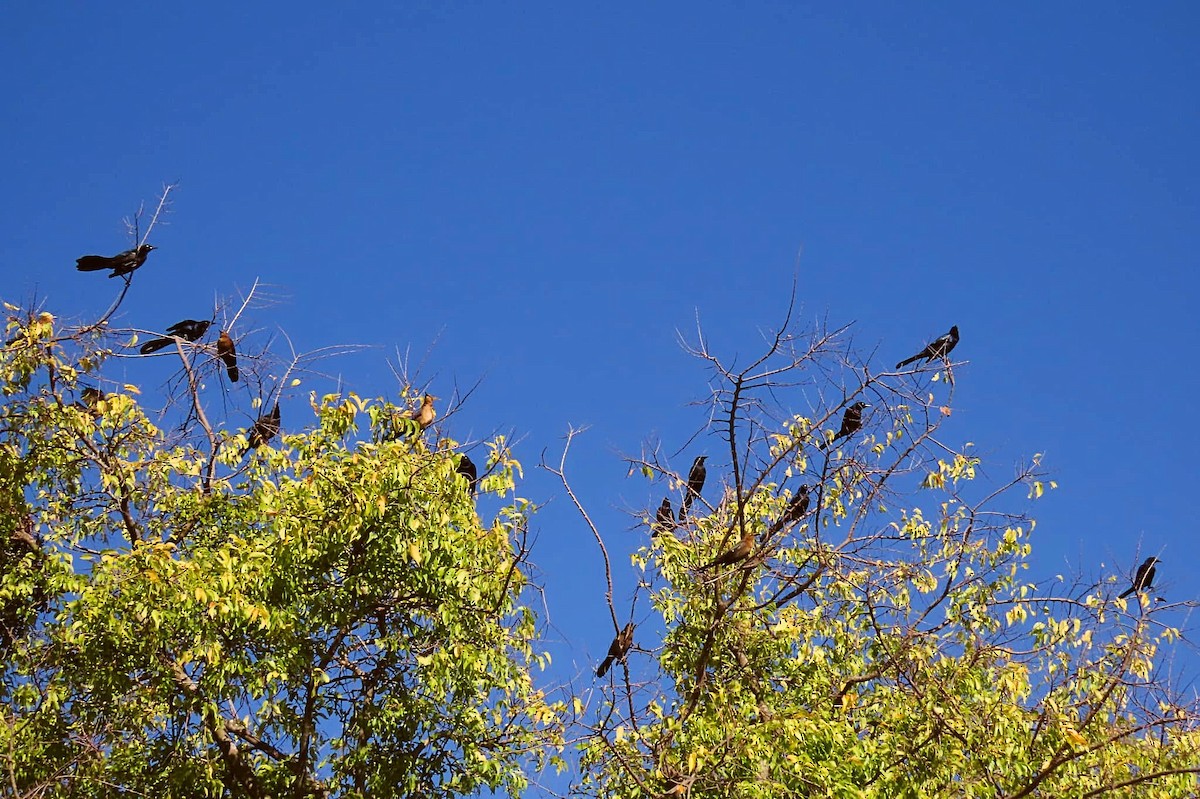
{"x": 268, "y": 426}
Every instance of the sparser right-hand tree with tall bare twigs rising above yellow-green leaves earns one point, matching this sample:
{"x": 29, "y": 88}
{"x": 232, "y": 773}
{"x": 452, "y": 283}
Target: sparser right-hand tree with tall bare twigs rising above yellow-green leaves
{"x": 883, "y": 641}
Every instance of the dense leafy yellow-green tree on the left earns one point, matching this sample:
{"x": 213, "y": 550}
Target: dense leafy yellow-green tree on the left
{"x": 327, "y": 616}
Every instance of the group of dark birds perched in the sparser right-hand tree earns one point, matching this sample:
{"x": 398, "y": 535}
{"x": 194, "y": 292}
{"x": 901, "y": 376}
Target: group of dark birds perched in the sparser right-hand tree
{"x": 851, "y": 423}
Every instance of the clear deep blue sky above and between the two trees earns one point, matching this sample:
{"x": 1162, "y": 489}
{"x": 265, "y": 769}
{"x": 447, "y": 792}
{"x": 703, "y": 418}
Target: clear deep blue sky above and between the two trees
{"x": 539, "y": 196}
